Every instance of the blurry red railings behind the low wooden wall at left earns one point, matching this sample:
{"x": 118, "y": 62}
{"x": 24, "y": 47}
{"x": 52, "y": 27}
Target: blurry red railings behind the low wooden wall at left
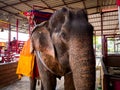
{"x": 13, "y": 54}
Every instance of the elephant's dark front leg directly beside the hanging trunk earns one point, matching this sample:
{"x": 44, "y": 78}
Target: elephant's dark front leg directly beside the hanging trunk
{"x": 68, "y": 82}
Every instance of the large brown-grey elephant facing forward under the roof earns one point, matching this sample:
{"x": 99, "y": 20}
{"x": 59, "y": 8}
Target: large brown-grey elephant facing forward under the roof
{"x": 64, "y": 47}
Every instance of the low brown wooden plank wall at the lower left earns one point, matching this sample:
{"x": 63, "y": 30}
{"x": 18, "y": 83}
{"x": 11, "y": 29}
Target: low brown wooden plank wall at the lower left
{"x": 8, "y": 74}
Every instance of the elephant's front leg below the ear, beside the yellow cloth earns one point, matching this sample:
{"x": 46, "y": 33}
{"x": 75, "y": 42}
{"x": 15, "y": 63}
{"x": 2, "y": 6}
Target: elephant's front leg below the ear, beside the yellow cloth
{"x": 47, "y": 78}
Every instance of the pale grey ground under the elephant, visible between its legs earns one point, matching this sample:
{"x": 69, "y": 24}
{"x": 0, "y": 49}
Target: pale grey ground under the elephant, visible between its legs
{"x": 23, "y": 84}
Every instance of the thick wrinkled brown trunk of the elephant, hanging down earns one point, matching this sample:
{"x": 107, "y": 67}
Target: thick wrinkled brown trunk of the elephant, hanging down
{"x": 82, "y": 62}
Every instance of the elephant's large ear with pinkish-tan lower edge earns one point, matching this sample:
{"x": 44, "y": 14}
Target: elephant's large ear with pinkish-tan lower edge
{"x": 41, "y": 40}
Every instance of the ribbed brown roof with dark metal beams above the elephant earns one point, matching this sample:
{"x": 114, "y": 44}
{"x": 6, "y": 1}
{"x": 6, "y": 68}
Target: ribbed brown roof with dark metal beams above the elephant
{"x": 10, "y": 10}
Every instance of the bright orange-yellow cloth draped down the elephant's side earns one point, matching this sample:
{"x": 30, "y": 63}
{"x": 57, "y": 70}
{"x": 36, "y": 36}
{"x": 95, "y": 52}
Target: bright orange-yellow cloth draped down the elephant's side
{"x": 26, "y": 61}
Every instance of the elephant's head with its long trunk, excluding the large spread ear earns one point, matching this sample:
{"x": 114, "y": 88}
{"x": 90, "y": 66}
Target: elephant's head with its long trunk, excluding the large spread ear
{"x": 73, "y": 41}
